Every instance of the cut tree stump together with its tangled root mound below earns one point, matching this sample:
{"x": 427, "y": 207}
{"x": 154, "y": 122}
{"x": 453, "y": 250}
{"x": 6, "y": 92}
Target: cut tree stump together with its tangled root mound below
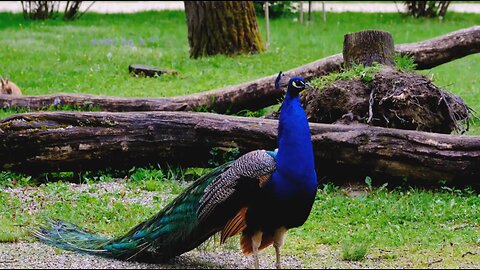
{"x": 390, "y": 98}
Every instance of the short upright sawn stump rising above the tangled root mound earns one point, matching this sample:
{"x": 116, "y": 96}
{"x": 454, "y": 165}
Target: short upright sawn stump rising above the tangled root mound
{"x": 367, "y": 47}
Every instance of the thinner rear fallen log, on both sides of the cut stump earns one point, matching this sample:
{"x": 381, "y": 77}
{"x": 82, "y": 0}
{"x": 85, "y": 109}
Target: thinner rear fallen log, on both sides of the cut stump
{"x": 259, "y": 93}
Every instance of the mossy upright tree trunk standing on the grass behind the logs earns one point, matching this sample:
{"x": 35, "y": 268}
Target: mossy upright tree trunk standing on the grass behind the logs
{"x": 222, "y": 27}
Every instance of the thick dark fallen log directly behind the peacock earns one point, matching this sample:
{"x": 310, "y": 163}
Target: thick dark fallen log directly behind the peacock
{"x": 60, "y": 141}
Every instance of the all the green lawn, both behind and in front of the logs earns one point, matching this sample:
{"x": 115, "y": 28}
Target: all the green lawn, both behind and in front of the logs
{"x": 395, "y": 227}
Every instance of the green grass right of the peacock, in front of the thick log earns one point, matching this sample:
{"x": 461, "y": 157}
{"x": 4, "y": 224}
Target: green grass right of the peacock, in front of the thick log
{"x": 408, "y": 223}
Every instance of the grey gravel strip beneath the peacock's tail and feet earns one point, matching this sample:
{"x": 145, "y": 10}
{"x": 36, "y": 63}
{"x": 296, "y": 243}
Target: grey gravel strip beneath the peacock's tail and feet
{"x": 36, "y": 255}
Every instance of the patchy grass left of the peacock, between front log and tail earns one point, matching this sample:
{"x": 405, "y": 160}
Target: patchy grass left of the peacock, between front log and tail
{"x": 106, "y": 211}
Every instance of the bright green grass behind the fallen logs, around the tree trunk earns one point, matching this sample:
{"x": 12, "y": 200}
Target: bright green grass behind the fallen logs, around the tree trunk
{"x": 92, "y": 55}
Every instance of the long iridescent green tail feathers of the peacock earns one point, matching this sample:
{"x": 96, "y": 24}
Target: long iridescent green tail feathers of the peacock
{"x": 172, "y": 231}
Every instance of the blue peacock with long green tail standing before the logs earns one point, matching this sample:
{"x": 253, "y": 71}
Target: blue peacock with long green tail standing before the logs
{"x": 260, "y": 195}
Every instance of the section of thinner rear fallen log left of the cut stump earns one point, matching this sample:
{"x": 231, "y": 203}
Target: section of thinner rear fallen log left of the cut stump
{"x": 253, "y": 96}
